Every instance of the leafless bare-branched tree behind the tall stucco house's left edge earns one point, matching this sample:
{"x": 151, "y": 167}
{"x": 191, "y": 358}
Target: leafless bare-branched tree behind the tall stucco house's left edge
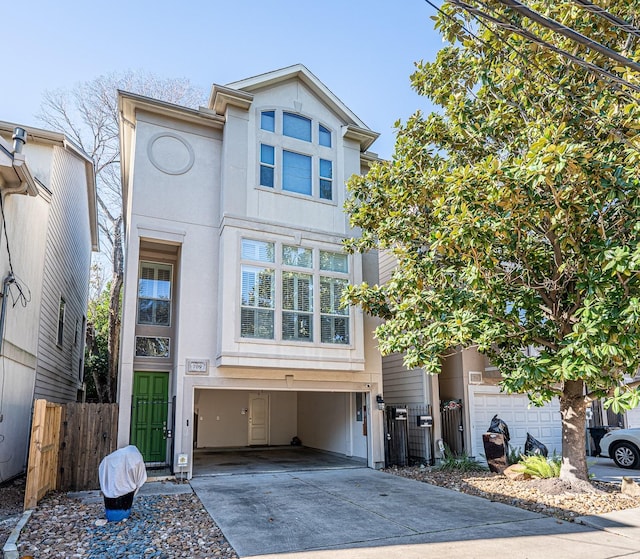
{"x": 88, "y": 114}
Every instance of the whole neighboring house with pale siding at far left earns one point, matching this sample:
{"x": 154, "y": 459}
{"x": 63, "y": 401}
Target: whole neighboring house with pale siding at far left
{"x": 49, "y": 229}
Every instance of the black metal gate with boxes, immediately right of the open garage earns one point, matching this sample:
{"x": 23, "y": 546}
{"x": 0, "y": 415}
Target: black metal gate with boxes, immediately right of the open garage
{"x": 408, "y": 435}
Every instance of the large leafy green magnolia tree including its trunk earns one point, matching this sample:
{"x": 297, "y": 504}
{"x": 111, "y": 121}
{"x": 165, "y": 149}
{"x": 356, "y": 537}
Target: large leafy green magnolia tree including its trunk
{"x": 513, "y": 213}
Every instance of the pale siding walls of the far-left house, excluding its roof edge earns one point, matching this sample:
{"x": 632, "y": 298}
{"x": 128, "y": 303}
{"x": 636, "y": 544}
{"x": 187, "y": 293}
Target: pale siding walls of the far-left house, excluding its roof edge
{"x": 49, "y": 239}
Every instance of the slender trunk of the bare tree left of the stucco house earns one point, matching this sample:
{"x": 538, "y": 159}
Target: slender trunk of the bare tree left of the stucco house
{"x": 114, "y": 309}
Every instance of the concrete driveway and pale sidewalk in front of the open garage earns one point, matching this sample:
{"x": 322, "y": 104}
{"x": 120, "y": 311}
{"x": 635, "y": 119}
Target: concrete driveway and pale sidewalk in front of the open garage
{"x": 363, "y": 513}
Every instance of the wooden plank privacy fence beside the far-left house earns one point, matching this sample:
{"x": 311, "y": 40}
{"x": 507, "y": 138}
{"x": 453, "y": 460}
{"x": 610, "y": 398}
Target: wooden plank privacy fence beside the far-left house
{"x": 68, "y": 441}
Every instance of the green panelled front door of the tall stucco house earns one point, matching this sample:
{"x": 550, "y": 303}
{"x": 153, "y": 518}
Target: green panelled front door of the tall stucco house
{"x": 149, "y": 415}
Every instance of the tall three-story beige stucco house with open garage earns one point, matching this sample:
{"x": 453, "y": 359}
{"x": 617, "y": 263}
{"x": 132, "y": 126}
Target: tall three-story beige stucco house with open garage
{"x": 232, "y": 331}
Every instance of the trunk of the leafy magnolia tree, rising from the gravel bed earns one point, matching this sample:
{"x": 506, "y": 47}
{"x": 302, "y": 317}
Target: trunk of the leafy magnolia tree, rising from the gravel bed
{"x": 573, "y": 407}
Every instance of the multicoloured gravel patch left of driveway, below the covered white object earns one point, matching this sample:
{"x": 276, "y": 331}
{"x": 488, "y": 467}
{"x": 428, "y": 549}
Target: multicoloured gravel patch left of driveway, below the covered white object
{"x": 160, "y": 527}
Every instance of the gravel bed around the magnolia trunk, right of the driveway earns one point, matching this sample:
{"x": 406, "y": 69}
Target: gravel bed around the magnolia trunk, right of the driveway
{"x": 547, "y": 496}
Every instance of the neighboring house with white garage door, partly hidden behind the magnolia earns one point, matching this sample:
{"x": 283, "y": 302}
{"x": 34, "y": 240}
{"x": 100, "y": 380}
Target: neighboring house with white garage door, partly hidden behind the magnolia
{"x": 464, "y": 397}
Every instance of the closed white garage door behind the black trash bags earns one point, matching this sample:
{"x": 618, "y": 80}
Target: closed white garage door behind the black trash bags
{"x": 521, "y": 418}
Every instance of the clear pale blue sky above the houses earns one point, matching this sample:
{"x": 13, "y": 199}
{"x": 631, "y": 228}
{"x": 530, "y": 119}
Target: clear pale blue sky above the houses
{"x": 363, "y": 51}
